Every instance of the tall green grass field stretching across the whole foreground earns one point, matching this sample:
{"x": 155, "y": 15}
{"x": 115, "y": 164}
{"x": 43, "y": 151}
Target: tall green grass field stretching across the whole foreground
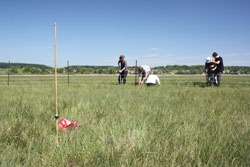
{"x": 180, "y": 123}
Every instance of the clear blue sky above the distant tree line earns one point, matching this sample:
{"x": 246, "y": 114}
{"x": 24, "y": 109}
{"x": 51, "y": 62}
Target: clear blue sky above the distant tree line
{"x": 96, "y": 32}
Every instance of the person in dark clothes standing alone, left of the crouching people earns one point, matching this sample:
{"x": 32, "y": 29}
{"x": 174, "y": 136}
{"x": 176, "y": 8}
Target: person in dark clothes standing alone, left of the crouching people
{"x": 123, "y": 71}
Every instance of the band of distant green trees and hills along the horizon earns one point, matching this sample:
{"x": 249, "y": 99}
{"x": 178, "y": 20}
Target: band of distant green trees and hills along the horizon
{"x": 21, "y": 68}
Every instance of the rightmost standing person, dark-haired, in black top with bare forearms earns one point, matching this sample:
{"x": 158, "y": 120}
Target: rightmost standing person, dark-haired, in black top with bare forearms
{"x": 218, "y": 69}
